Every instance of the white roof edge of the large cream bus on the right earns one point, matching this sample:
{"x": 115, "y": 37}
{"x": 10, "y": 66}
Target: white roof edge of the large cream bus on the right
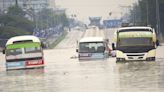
{"x": 135, "y": 28}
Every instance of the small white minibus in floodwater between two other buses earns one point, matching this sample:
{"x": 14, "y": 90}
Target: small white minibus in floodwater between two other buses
{"x": 93, "y": 48}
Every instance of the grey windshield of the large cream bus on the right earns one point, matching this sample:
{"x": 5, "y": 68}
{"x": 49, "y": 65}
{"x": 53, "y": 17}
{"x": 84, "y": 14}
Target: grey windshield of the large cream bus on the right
{"x": 135, "y": 42}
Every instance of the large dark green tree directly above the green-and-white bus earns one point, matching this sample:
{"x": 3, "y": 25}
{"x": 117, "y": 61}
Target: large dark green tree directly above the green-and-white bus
{"x": 14, "y": 23}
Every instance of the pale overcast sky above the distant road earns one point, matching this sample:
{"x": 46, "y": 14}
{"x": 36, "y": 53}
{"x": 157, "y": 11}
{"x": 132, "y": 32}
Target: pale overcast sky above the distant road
{"x": 85, "y": 8}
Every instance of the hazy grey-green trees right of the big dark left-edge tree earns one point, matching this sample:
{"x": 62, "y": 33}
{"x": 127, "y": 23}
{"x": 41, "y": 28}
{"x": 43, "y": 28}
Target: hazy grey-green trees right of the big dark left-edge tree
{"x": 50, "y": 18}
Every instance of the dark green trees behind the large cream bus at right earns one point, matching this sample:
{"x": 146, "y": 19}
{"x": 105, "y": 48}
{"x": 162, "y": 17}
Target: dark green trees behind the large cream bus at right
{"x": 147, "y": 10}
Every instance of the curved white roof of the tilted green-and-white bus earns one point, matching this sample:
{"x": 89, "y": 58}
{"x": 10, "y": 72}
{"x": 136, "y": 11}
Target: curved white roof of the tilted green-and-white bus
{"x": 23, "y": 38}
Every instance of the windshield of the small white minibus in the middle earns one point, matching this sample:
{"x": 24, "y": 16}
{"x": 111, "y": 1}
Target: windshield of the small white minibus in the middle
{"x": 92, "y": 47}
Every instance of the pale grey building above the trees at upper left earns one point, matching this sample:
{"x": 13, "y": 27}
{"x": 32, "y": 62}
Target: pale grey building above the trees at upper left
{"x": 36, "y": 5}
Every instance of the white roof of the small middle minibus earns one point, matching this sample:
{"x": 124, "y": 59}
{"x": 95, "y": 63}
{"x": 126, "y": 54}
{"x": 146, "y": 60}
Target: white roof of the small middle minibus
{"x": 92, "y": 39}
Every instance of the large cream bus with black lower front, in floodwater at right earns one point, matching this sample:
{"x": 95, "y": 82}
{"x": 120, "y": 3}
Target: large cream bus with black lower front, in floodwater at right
{"x": 135, "y": 43}
